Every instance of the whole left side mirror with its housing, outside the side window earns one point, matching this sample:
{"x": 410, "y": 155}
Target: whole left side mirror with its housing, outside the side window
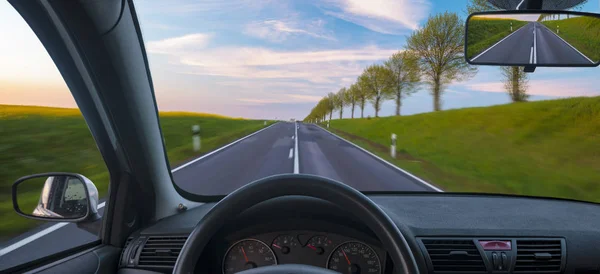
{"x": 60, "y": 197}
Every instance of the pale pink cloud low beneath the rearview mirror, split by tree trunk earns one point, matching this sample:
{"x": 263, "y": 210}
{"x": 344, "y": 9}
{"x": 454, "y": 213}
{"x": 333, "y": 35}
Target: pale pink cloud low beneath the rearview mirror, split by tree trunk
{"x": 555, "y": 87}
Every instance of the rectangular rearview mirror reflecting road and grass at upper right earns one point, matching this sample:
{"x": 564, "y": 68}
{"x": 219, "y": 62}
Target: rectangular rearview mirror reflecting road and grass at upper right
{"x": 531, "y": 38}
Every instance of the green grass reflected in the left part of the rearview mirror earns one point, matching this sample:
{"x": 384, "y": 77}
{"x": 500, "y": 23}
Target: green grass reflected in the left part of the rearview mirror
{"x": 485, "y": 32}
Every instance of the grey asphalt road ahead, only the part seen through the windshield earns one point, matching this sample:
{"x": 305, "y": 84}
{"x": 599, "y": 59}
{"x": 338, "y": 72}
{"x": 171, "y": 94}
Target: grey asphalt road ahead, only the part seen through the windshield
{"x": 271, "y": 152}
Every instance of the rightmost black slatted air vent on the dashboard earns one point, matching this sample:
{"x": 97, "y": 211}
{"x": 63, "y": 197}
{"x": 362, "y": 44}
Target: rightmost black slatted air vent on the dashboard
{"x": 539, "y": 256}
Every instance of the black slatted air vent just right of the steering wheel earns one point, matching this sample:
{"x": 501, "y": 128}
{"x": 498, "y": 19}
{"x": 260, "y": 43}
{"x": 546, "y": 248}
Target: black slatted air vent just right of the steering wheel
{"x": 454, "y": 256}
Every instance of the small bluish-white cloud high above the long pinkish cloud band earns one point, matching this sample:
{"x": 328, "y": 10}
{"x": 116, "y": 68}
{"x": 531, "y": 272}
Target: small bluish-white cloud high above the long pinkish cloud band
{"x": 278, "y": 31}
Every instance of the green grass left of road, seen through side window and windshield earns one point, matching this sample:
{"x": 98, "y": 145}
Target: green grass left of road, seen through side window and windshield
{"x": 40, "y": 139}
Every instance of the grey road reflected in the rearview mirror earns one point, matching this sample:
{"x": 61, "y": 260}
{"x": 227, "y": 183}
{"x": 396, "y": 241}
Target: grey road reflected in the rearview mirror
{"x": 533, "y": 44}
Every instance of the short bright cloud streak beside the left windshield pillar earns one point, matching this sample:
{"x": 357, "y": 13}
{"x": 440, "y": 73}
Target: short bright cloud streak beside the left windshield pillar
{"x": 177, "y": 45}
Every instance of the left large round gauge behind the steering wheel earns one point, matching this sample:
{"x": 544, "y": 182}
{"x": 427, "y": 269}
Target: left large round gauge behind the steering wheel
{"x": 247, "y": 254}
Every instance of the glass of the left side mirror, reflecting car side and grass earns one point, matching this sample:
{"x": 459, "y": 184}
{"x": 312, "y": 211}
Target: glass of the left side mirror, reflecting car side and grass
{"x": 53, "y": 197}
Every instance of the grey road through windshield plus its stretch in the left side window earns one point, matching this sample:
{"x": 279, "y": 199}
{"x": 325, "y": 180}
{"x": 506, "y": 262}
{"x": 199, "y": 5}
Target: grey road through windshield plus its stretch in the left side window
{"x": 268, "y": 152}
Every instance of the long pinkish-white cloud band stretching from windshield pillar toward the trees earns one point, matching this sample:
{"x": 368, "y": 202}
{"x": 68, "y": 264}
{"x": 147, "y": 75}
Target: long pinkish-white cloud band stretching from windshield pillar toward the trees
{"x": 322, "y": 66}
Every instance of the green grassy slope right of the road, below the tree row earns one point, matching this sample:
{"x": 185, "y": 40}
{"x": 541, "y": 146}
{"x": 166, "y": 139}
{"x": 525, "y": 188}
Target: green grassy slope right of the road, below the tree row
{"x": 547, "y": 148}
